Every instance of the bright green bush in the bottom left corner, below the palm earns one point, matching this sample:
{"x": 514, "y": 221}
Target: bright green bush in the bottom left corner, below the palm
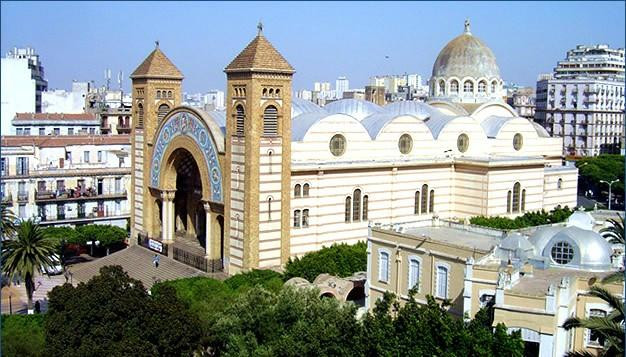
{"x": 22, "y": 335}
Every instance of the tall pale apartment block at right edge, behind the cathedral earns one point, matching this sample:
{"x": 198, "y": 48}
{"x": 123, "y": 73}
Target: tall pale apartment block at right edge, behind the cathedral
{"x": 583, "y": 101}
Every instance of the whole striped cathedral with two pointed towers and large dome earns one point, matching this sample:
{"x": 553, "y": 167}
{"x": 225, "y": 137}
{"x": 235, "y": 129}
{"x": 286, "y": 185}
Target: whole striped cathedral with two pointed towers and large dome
{"x": 275, "y": 177}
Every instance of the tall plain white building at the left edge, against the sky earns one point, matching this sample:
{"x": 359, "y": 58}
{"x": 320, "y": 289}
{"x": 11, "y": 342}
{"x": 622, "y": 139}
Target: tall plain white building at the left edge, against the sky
{"x": 22, "y": 84}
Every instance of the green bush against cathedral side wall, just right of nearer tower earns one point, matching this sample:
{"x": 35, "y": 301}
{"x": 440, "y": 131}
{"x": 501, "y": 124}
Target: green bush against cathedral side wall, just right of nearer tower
{"x": 341, "y": 260}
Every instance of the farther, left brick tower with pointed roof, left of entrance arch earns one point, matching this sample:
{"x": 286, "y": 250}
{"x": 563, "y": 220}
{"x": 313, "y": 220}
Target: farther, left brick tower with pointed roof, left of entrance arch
{"x": 156, "y": 89}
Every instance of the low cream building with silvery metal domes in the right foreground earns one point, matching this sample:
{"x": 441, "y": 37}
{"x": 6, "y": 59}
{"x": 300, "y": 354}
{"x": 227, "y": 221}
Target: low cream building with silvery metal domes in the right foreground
{"x": 535, "y": 278}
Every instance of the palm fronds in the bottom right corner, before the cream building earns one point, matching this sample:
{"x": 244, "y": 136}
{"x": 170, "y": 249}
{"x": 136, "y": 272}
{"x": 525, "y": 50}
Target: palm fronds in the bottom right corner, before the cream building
{"x": 609, "y": 328}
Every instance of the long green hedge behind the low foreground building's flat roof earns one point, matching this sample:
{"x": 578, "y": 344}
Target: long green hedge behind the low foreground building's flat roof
{"x": 529, "y": 219}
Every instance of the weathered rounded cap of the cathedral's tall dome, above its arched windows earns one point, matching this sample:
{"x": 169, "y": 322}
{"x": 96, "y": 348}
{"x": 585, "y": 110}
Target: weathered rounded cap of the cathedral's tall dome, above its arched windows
{"x": 466, "y": 56}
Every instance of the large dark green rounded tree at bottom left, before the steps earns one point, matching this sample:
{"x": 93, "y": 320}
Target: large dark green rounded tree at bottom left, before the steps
{"x": 113, "y": 315}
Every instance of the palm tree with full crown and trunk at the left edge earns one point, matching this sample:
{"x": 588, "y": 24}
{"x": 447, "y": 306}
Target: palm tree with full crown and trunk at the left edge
{"x": 27, "y": 252}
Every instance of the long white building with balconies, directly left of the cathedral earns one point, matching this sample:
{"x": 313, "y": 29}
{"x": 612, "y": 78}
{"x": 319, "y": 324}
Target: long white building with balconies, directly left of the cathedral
{"x": 67, "y": 180}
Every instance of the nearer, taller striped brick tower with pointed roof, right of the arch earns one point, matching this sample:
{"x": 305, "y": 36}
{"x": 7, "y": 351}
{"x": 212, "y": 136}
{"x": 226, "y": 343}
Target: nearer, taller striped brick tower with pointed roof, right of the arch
{"x": 258, "y": 157}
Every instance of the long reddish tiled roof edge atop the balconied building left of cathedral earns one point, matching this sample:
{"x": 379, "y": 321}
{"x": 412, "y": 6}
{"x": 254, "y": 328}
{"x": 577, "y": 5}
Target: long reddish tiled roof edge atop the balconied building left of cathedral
{"x": 64, "y": 140}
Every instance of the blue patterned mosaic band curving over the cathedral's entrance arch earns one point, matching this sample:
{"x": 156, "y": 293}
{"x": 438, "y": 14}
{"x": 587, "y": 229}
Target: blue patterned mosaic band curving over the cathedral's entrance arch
{"x": 185, "y": 123}
